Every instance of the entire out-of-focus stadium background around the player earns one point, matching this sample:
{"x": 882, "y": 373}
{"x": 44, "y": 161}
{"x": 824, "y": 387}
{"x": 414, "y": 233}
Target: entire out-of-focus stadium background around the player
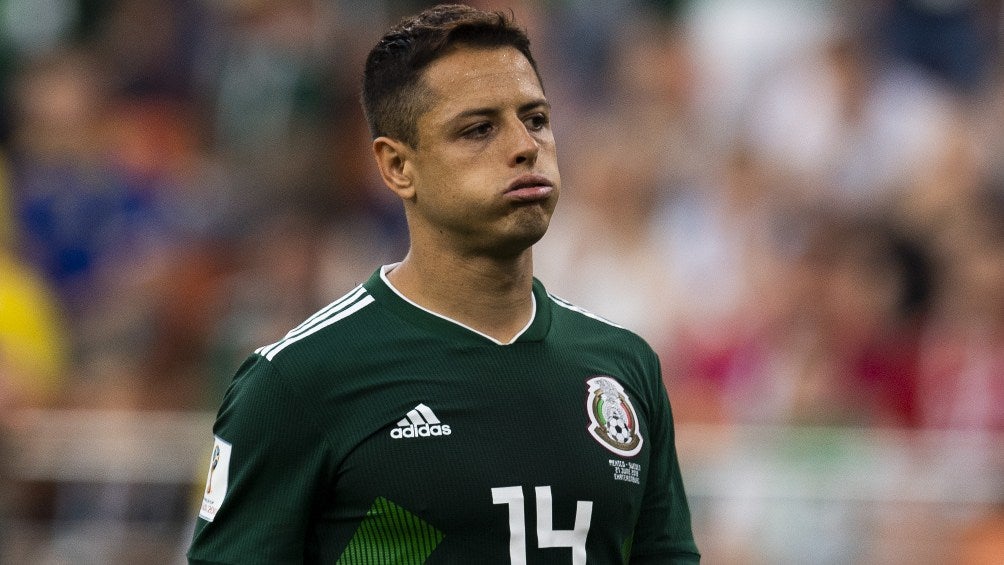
{"x": 799, "y": 203}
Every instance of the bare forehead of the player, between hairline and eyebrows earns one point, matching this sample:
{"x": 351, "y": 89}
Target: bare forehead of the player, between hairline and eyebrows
{"x": 481, "y": 78}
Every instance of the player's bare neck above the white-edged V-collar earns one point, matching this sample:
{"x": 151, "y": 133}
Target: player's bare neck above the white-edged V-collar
{"x": 493, "y": 297}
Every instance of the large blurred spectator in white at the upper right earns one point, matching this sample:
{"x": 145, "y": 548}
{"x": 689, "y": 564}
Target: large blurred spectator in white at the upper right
{"x": 849, "y": 131}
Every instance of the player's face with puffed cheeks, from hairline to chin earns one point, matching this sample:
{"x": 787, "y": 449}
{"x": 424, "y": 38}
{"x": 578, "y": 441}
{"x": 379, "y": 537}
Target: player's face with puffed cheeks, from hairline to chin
{"x": 485, "y": 169}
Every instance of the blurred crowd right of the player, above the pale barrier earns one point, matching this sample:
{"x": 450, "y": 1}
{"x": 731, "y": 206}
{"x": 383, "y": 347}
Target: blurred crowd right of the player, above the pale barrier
{"x": 802, "y": 206}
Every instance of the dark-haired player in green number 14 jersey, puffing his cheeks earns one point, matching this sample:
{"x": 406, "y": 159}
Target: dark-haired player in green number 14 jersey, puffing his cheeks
{"x": 449, "y": 410}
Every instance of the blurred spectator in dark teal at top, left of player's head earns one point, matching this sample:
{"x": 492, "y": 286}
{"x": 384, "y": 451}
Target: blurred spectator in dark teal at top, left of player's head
{"x": 267, "y": 81}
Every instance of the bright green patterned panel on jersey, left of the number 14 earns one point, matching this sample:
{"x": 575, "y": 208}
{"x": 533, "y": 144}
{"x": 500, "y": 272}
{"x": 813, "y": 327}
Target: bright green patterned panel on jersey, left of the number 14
{"x": 392, "y": 535}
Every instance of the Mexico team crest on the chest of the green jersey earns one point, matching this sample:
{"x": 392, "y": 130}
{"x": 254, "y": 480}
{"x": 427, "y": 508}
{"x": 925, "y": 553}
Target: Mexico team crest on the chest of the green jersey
{"x": 613, "y": 420}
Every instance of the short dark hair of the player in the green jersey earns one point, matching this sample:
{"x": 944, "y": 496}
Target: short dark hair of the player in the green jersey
{"x": 394, "y": 96}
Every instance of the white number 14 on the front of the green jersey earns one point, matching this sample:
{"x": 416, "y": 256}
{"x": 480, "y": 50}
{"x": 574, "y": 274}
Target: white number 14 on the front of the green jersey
{"x": 547, "y": 535}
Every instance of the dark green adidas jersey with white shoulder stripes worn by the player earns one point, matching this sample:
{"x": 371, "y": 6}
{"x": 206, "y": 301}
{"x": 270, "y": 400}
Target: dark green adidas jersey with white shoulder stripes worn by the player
{"x": 379, "y": 433}
